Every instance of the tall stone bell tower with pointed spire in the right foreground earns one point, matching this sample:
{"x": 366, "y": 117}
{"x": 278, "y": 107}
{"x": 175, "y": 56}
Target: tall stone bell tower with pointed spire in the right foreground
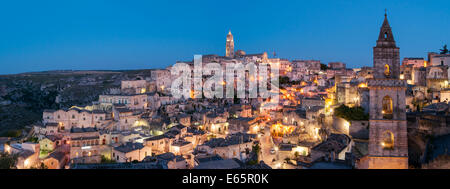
{"x": 388, "y": 143}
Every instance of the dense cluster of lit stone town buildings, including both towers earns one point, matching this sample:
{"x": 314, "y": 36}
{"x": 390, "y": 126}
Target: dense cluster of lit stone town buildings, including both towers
{"x": 143, "y": 124}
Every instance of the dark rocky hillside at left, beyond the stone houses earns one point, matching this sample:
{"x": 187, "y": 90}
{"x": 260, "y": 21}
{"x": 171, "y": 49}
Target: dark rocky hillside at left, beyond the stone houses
{"x": 23, "y": 97}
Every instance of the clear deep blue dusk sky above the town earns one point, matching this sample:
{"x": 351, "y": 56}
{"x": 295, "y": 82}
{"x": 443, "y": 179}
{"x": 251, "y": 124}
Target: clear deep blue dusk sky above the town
{"x": 112, "y": 35}
